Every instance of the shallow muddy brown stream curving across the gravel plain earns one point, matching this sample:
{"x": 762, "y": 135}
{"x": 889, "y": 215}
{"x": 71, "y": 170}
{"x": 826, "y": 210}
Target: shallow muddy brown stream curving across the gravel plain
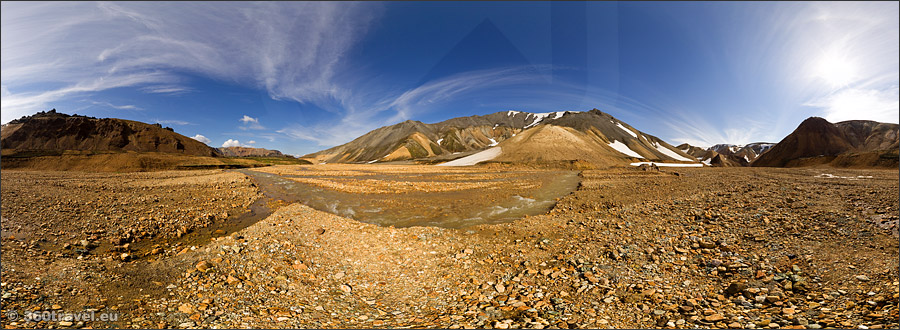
{"x": 449, "y": 209}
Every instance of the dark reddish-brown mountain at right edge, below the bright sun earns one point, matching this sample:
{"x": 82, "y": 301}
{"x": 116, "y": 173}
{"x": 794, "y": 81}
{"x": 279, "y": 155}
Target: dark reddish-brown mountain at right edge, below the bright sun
{"x": 854, "y": 143}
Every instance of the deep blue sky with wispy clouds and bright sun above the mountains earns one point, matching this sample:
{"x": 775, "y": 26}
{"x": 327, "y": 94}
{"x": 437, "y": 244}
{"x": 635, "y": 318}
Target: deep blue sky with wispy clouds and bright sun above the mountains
{"x": 301, "y": 77}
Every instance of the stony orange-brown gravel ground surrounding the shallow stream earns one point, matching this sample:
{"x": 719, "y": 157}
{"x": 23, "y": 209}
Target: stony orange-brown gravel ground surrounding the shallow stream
{"x": 708, "y": 248}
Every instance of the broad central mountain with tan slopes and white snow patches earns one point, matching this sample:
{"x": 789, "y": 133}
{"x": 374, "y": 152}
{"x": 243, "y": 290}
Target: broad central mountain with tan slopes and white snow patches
{"x": 593, "y": 136}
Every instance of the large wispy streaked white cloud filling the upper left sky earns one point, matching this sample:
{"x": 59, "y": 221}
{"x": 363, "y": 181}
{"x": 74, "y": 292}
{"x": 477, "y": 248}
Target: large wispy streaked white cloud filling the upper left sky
{"x": 291, "y": 50}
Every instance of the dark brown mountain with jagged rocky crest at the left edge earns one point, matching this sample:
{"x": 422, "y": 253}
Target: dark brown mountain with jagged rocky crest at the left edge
{"x": 56, "y": 132}
